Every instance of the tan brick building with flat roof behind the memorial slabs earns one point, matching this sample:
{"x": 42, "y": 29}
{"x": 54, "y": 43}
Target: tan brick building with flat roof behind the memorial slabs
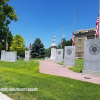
{"x": 80, "y": 36}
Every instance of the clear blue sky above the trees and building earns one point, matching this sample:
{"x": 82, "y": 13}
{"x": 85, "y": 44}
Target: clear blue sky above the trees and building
{"x": 44, "y": 18}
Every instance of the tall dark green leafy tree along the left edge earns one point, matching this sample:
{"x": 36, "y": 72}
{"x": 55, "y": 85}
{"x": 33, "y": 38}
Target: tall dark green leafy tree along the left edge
{"x": 7, "y": 14}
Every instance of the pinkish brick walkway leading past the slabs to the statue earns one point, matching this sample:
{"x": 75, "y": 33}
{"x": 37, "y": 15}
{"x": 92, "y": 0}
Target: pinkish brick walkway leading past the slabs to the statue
{"x": 50, "y": 67}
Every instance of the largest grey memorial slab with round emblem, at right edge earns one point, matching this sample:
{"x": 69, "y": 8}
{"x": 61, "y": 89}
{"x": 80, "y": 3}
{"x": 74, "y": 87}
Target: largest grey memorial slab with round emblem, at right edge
{"x": 92, "y": 57}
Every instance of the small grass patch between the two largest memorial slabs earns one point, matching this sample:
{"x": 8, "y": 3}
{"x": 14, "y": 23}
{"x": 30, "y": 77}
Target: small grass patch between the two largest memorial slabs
{"x": 79, "y": 66}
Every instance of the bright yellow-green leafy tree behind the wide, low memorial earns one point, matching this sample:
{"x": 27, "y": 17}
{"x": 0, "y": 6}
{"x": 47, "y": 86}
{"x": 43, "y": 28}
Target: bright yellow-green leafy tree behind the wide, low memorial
{"x": 18, "y": 44}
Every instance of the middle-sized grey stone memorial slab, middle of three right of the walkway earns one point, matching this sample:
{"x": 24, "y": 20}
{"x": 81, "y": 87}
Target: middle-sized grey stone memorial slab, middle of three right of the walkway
{"x": 69, "y": 55}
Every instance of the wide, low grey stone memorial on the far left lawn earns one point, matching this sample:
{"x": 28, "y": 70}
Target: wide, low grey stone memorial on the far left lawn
{"x": 10, "y": 56}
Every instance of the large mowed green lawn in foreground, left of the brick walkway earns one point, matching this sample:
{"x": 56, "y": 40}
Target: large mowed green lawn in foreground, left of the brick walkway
{"x": 25, "y": 74}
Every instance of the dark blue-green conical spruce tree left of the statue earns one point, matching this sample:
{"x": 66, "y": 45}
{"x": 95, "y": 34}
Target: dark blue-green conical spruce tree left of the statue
{"x": 38, "y": 50}
